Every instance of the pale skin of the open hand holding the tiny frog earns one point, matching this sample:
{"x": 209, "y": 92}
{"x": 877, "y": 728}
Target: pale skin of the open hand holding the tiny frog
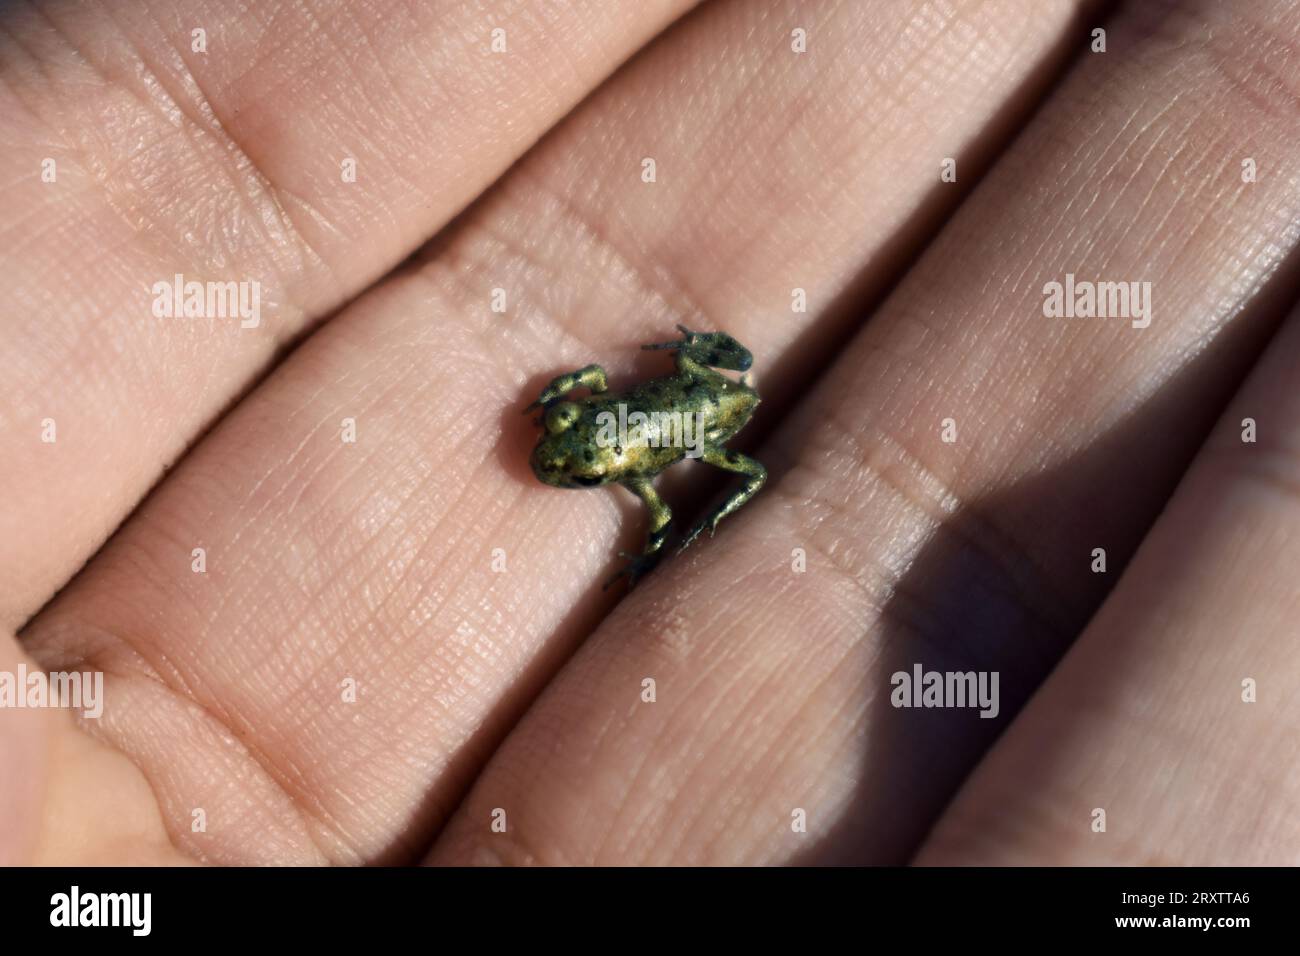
{"x": 371, "y": 563}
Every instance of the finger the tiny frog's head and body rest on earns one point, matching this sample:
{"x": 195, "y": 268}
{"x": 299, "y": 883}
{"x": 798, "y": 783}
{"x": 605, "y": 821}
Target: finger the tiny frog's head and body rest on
{"x": 376, "y": 561}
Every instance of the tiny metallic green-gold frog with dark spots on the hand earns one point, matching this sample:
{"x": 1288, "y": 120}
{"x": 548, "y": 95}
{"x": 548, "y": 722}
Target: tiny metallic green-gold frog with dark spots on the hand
{"x": 580, "y": 451}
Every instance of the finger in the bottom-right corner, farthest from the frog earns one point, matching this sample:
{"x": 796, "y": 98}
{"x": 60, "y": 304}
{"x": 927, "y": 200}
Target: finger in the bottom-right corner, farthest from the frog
{"x": 1168, "y": 734}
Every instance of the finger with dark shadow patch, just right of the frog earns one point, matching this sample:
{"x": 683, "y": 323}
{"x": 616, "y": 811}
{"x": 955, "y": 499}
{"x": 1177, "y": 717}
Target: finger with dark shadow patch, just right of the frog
{"x": 878, "y": 546}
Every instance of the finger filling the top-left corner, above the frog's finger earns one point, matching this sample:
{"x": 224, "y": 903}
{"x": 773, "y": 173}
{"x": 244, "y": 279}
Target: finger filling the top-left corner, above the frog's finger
{"x": 296, "y": 150}
